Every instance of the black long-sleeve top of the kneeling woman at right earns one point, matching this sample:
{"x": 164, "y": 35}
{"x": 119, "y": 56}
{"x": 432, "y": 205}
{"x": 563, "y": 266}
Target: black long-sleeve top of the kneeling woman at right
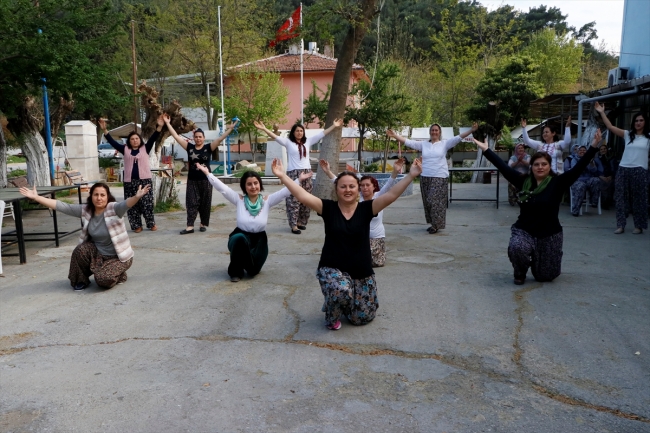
{"x": 539, "y": 215}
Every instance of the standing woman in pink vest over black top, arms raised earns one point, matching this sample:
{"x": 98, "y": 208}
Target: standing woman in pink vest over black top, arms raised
{"x": 137, "y": 173}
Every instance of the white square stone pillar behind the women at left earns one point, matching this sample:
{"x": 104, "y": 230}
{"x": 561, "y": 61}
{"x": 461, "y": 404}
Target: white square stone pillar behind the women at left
{"x": 81, "y": 140}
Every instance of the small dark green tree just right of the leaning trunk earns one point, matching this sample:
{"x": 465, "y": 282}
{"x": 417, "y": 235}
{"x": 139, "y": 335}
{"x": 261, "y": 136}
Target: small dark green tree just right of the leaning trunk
{"x": 376, "y": 106}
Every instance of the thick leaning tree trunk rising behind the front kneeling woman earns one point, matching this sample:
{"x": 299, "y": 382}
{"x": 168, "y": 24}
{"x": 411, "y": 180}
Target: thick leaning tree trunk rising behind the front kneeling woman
{"x": 331, "y": 148}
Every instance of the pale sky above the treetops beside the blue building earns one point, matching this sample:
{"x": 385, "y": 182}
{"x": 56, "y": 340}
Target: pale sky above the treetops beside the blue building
{"x": 608, "y": 15}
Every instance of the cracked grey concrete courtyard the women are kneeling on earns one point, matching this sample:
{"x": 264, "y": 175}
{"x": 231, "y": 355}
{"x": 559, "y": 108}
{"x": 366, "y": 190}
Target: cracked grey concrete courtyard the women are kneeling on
{"x": 455, "y": 347}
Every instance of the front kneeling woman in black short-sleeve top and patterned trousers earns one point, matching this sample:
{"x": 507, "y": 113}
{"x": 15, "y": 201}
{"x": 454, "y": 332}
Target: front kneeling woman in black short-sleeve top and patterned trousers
{"x": 345, "y": 269}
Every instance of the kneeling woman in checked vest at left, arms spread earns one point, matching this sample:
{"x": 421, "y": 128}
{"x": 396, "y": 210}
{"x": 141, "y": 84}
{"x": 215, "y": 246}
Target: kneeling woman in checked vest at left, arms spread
{"x": 104, "y": 248}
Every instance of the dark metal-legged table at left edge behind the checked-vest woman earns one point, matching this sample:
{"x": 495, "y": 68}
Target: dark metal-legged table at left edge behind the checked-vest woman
{"x": 12, "y": 195}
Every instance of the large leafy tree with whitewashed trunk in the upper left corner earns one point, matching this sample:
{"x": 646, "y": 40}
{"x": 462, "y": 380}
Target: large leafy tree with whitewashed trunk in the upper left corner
{"x": 70, "y": 51}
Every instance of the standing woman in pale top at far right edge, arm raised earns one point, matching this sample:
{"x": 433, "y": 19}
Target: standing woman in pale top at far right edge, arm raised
{"x": 631, "y": 185}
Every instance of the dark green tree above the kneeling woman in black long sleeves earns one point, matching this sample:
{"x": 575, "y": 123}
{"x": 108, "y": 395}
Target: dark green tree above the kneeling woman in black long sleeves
{"x": 512, "y": 86}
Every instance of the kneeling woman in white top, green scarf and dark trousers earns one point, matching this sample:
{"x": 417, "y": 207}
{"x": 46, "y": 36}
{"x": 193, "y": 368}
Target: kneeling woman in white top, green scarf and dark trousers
{"x": 248, "y": 243}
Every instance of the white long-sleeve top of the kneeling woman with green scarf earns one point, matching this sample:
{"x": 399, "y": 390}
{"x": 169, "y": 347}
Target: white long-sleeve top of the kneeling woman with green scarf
{"x": 246, "y": 221}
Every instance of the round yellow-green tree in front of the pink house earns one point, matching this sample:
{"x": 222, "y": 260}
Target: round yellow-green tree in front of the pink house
{"x": 255, "y": 95}
